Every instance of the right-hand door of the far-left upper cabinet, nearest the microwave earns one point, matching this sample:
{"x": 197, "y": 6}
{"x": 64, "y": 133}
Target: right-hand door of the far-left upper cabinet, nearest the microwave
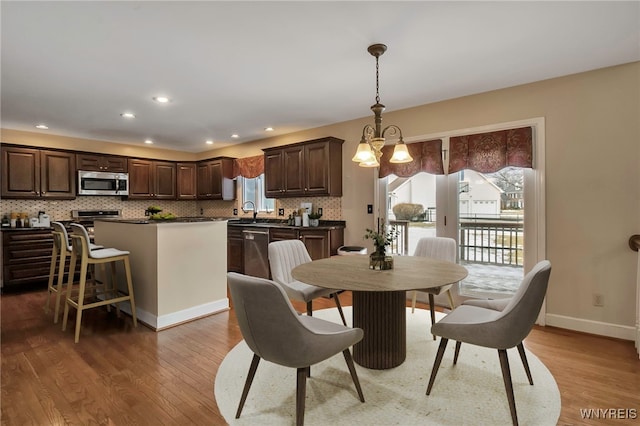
{"x": 57, "y": 175}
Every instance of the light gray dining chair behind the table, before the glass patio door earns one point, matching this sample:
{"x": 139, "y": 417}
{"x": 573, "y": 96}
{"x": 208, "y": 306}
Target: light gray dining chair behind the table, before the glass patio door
{"x": 441, "y": 248}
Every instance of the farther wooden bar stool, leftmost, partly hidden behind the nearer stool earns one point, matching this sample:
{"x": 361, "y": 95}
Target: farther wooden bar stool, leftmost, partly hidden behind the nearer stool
{"x": 61, "y": 248}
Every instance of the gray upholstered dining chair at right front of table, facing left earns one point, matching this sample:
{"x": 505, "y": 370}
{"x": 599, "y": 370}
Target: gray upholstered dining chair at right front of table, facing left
{"x": 494, "y": 328}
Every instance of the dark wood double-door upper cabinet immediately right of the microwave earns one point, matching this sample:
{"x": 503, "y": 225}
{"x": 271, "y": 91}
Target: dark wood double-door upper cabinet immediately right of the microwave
{"x": 152, "y": 180}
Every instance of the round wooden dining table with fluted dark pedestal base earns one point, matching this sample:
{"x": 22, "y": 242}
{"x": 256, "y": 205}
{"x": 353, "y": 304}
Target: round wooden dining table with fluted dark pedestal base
{"x": 379, "y": 298}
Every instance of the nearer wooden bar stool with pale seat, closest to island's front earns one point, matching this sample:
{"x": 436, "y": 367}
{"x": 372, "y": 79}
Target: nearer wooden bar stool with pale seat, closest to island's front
{"x": 87, "y": 257}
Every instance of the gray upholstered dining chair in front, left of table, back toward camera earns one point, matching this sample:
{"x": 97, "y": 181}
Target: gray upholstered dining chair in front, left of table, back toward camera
{"x": 274, "y": 331}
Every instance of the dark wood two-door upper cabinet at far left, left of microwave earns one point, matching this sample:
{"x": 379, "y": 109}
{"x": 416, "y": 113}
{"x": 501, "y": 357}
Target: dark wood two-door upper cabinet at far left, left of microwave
{"x": 32, "y": 173}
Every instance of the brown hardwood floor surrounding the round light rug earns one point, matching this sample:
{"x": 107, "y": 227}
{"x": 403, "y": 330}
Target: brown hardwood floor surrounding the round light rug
{"x": 120, "y": 375}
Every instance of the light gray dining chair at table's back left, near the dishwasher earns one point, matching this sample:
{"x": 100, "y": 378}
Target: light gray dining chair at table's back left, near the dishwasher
{"x": 286, "y": 255}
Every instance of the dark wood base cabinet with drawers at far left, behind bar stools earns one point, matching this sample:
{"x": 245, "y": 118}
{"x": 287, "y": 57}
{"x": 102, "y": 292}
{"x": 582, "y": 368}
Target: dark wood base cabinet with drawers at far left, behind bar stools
{"x": 26, "y": 257}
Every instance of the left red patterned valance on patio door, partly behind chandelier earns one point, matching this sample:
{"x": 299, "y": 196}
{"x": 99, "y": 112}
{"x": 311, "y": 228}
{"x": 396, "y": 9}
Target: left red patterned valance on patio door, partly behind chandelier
{"x": 427, "y": 157}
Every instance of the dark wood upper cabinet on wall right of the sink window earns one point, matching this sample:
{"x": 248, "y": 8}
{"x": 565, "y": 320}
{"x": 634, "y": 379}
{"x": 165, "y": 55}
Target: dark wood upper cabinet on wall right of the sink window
{"x": 306, "y": 169}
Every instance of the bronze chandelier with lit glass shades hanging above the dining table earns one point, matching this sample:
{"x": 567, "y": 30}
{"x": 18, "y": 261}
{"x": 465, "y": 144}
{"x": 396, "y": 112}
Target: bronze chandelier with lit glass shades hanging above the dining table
{"x": 370, "y": 147}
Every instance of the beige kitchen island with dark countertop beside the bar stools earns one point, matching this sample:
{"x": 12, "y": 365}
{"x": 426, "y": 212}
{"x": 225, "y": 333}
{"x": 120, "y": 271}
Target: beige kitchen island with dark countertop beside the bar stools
{"x": 178, "y": 267}
